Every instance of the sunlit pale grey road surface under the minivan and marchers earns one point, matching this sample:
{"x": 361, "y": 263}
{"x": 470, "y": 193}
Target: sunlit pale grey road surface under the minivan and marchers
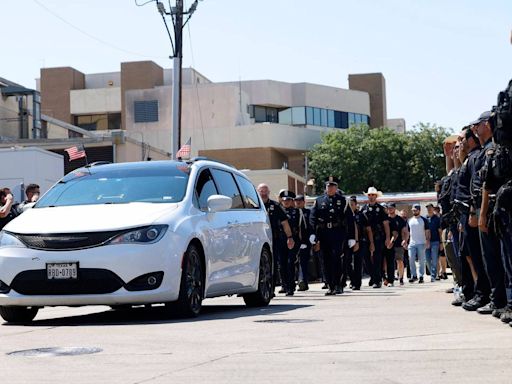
{"x": 404, "y": 335}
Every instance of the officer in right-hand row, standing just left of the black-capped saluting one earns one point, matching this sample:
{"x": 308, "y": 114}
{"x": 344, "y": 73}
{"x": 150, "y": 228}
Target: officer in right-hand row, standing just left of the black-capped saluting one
{"x": 470, "y": 236}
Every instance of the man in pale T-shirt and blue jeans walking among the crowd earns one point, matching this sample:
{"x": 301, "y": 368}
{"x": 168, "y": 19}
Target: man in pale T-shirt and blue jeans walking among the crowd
{"x": 419, "y": 241}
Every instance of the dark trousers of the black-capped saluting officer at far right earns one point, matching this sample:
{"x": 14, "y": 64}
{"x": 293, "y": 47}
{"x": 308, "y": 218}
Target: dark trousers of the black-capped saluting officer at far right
{"x": 493, "y": 264}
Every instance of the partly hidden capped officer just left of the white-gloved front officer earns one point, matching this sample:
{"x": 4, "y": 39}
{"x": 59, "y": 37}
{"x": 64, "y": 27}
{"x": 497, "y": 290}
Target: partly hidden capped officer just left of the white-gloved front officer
{"x": 305, "y": 246}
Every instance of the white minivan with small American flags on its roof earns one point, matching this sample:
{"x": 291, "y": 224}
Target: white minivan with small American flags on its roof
{"x": 124, "y": 234}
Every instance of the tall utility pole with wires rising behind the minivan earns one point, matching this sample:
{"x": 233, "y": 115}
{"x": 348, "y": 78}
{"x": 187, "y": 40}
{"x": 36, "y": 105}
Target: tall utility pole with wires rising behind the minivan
{"x": 176, "y": 13}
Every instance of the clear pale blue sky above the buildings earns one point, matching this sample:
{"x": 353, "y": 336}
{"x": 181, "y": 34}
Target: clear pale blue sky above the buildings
{"x": 444, "y": 61}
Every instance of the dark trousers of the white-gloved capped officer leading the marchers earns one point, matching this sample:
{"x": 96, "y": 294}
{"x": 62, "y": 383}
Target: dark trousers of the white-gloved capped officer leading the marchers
{"x": 331, "y": 243}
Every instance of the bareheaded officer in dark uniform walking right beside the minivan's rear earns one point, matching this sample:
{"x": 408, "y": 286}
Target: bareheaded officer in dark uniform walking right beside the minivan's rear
{"x": 279, "y": 224}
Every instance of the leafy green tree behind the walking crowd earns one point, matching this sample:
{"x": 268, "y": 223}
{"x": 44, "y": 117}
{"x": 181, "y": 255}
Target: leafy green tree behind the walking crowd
{"x": 393, "y": 162}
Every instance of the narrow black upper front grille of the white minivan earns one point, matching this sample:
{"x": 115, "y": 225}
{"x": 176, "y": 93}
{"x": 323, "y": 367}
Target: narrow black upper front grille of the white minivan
{"x": 65, "y": 241}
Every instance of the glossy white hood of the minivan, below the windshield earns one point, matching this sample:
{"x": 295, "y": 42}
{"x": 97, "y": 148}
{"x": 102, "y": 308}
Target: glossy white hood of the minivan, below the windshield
{"x": 88, "y": 218}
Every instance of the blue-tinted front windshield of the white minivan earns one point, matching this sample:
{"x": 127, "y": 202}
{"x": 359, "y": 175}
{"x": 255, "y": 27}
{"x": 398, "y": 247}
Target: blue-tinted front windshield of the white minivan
{"x": 114, "y": 185}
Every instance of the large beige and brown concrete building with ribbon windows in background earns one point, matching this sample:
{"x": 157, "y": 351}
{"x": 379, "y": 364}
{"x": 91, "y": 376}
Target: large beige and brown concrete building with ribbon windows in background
{"x": 256, "y": 125}
